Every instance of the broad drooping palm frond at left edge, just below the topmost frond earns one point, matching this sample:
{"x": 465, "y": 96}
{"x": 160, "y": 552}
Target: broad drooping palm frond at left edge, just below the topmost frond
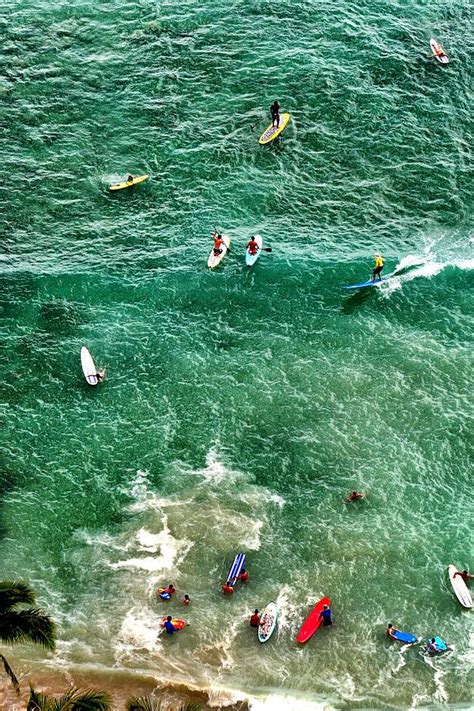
{"x": 28, "y": 626}
